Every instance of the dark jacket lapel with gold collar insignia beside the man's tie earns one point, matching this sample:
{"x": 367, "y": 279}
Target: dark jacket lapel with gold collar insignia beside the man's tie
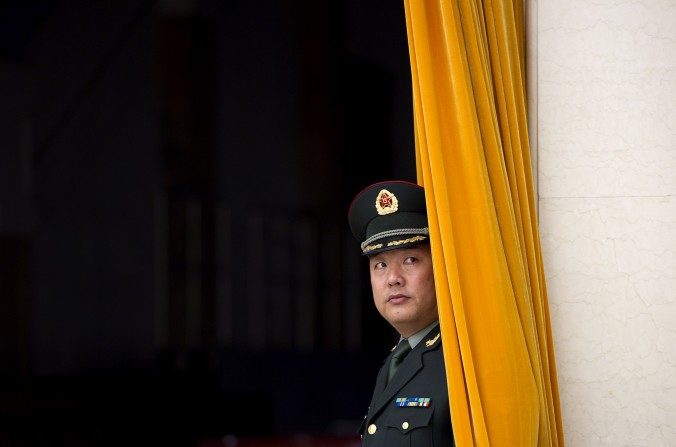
{"x": 407, "y": 370}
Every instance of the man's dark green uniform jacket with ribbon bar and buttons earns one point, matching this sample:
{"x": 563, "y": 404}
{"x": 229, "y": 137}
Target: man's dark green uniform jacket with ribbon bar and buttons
{"x": 421, "y": 375}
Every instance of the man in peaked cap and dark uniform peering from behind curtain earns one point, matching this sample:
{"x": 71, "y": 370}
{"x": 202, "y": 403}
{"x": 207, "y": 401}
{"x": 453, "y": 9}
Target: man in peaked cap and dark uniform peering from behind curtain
{"x": 410, "y": 401}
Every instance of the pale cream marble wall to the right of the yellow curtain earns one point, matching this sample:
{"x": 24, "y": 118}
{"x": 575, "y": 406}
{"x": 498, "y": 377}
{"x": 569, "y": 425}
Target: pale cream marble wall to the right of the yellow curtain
{"x": 605, "y": 114}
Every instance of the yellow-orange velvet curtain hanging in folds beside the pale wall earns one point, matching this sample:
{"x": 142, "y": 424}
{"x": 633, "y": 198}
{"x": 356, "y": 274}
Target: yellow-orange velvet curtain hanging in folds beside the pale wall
{"x": 467, "y": 64}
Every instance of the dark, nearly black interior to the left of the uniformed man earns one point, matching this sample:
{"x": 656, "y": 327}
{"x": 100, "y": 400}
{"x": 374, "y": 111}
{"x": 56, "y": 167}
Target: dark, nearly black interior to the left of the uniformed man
{"x": 175, "y": 260}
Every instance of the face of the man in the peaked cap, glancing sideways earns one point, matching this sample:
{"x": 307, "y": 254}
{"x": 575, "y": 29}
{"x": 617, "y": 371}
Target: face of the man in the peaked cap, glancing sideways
{"x": 403, "y": 288}
